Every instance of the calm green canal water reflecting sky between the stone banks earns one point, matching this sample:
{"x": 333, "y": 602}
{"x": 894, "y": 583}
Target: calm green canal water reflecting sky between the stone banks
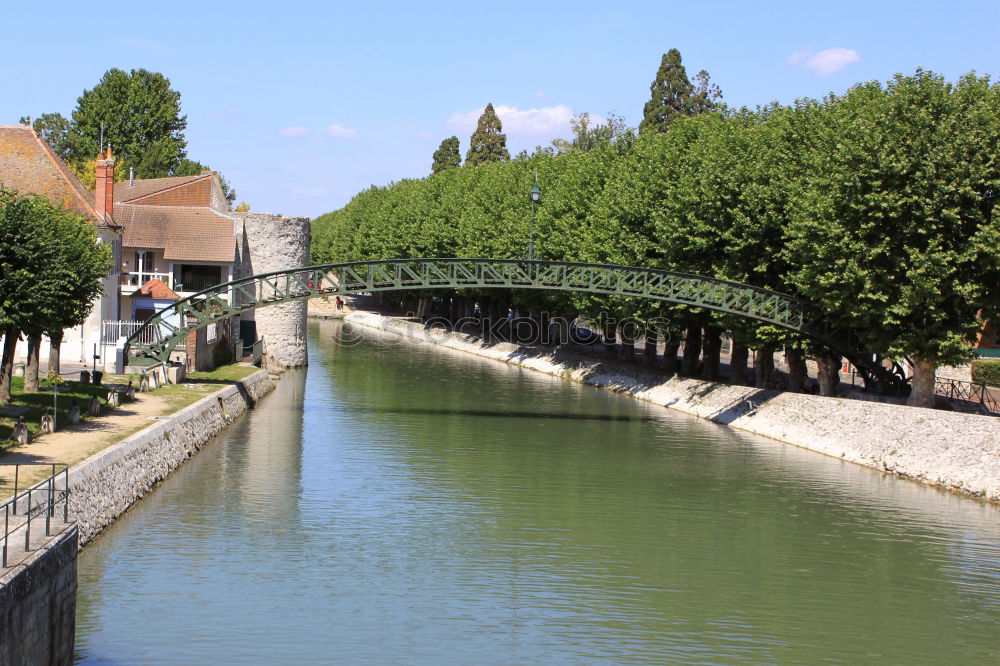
{"x": 402, "y": 503}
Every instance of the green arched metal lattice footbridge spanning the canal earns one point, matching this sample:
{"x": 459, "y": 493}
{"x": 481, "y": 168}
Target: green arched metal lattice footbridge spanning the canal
{"x": 169, "y": 327}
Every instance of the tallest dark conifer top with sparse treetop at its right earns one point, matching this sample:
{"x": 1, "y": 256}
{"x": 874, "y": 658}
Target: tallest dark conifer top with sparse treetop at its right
{"x": 673, "y": 95}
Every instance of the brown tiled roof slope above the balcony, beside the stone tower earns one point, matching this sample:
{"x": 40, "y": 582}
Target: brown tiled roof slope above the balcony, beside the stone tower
{"x": 184, "y": 233}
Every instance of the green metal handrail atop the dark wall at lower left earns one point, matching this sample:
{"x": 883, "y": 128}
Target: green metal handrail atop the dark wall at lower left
{"x": 34, "y": 501}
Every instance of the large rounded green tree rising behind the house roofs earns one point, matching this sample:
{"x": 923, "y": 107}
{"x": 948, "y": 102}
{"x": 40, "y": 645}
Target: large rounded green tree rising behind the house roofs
{"x": 141, "y": 118}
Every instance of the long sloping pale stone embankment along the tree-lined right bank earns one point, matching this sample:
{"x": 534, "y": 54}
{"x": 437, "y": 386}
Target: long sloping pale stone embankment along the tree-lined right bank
{"x": 948, "y": 449}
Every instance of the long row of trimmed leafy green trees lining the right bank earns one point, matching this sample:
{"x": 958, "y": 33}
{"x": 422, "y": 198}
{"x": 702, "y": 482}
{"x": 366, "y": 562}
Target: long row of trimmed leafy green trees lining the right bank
{"x": 876, "y": 205}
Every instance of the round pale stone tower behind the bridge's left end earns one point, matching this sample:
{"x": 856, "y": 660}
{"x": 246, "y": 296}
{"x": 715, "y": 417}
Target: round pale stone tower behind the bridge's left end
{"x": 275, "y": 243}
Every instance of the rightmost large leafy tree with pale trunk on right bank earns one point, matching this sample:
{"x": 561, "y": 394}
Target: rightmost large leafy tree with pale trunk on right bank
{"x": 891, "y": 224}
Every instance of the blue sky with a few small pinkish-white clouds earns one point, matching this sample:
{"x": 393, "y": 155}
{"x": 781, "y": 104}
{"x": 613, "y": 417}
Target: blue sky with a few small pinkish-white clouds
{"x": 303, "y": 104}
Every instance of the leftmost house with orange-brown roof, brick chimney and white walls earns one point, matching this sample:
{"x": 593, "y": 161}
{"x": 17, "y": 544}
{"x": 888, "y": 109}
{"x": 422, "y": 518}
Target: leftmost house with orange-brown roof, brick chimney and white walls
{"x": 28, "y": 165}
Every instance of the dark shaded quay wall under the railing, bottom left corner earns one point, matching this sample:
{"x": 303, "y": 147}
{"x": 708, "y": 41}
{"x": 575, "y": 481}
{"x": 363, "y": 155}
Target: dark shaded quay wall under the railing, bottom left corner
{"x": 38, "y": 605}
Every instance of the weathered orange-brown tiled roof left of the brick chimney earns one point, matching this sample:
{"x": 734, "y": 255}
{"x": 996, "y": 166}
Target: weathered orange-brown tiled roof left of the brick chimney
{"x": 28, "y": 165}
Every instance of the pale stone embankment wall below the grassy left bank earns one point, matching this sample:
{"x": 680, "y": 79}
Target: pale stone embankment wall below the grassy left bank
{"x": 105, "y": 485}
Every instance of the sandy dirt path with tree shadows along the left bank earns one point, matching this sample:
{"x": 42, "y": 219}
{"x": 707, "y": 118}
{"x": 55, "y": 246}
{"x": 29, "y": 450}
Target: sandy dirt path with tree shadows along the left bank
{"x": 78, "y": 442}
